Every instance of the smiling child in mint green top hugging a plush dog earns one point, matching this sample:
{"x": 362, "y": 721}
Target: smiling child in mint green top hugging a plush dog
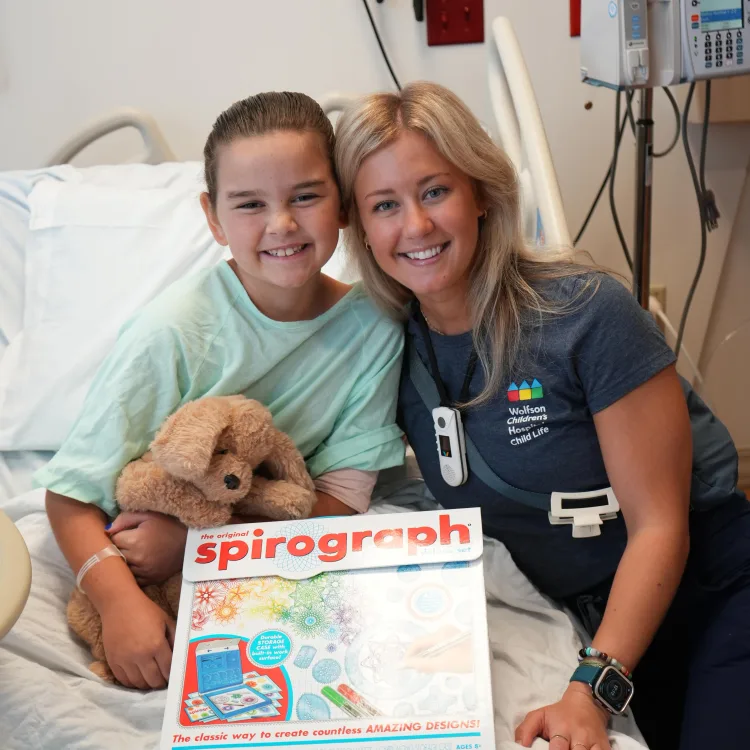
{"x": 267, "y": 324}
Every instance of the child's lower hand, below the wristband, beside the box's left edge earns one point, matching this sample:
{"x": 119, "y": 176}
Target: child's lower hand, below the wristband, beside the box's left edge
{"x": 138, "y": 639}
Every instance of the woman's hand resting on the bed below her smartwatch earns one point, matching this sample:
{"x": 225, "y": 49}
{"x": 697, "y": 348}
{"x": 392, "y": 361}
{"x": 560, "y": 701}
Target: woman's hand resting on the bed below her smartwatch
{"x": 576, "y": 722}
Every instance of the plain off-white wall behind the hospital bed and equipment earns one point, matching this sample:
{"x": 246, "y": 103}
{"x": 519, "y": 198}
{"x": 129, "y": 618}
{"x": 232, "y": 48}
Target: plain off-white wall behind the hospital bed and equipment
{"x": 64, "y": 63}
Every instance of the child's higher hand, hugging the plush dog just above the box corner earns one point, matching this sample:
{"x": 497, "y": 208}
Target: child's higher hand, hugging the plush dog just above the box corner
{"x": 153, "y": 544}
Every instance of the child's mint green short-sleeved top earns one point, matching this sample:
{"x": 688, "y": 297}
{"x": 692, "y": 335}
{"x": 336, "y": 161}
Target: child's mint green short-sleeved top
{"x": 330, "y": 383}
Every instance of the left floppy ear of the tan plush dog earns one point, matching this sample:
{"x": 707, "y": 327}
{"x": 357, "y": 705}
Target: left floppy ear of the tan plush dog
{"x": 186, "y": 442}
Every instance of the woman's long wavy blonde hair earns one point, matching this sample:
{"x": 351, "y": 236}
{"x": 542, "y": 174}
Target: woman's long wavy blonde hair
{"x": 503, "y": 295}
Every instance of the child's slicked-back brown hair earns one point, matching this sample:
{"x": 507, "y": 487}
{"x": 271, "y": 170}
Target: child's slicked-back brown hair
{"x": 268, "y": 112}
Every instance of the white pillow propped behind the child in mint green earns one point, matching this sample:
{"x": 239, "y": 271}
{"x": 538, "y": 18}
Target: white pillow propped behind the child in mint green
{"x": 95, "y": 255}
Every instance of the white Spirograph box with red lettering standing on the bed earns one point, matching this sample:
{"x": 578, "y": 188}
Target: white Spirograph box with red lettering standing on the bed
{"x": 367, "y": 631}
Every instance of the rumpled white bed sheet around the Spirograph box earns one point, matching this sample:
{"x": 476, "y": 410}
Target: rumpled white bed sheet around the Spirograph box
{"x": 49, "y": 700}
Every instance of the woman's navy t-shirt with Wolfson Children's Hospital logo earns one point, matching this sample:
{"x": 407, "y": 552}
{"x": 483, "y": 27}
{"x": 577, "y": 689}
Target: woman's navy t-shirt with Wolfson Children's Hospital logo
{"x": 538, "y": 433}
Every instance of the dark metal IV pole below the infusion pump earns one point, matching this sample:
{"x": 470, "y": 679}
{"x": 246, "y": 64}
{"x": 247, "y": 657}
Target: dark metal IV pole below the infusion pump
{"x": 644, "y": 133}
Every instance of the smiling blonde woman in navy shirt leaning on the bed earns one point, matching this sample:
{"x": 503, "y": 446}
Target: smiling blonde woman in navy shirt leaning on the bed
{"x": 563, "y": 384}
